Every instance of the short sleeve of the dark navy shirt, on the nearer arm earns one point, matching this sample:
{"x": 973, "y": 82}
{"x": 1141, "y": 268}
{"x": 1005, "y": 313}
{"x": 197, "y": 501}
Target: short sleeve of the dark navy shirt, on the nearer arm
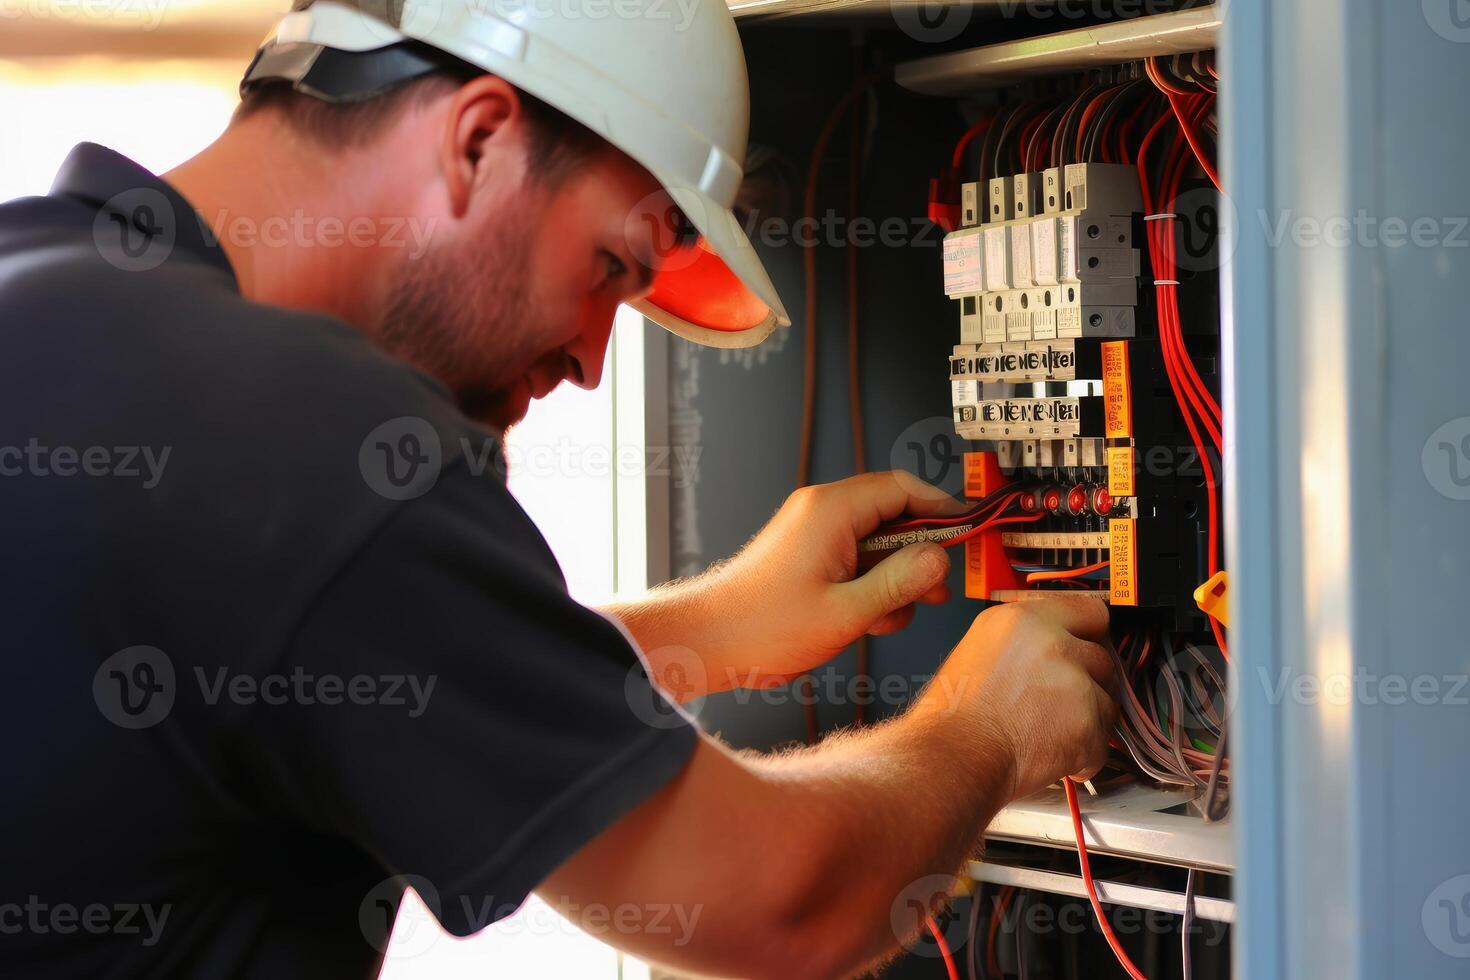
{"x": 481, "y": 727}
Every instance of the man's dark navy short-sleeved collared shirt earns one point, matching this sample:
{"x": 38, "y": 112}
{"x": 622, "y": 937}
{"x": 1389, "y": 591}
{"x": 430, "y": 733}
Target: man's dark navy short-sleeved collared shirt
{"x": 277, "y": 638}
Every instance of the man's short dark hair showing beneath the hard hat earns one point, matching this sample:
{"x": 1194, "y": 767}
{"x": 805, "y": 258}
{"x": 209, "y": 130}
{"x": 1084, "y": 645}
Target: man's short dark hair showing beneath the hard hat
{"x": 559, "y": 145}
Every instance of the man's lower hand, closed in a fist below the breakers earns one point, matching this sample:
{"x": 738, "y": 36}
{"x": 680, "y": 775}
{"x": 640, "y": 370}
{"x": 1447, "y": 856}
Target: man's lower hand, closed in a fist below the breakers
{"x": 1036, "y": 678}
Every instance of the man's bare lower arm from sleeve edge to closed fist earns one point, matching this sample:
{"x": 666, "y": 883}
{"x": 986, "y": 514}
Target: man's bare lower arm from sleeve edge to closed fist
{"x": 1019, "y": 703}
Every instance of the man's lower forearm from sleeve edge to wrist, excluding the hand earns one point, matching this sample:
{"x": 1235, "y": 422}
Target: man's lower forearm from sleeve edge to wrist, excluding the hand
{"x": 808, "y": 863}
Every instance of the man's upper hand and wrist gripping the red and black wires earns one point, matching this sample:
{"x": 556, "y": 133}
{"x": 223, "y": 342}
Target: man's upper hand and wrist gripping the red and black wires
{"x": 793, "y": 599}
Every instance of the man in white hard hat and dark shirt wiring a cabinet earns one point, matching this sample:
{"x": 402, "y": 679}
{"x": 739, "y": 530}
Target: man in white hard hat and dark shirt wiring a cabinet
{"x": 282, "y": 641}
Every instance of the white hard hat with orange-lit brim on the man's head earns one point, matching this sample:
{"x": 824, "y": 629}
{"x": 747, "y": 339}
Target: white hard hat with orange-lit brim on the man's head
{"x": 661, "y": 80}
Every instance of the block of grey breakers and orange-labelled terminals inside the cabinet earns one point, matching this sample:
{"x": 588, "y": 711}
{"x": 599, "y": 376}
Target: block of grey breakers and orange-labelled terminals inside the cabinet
{"x": 1059, "y": 375}
